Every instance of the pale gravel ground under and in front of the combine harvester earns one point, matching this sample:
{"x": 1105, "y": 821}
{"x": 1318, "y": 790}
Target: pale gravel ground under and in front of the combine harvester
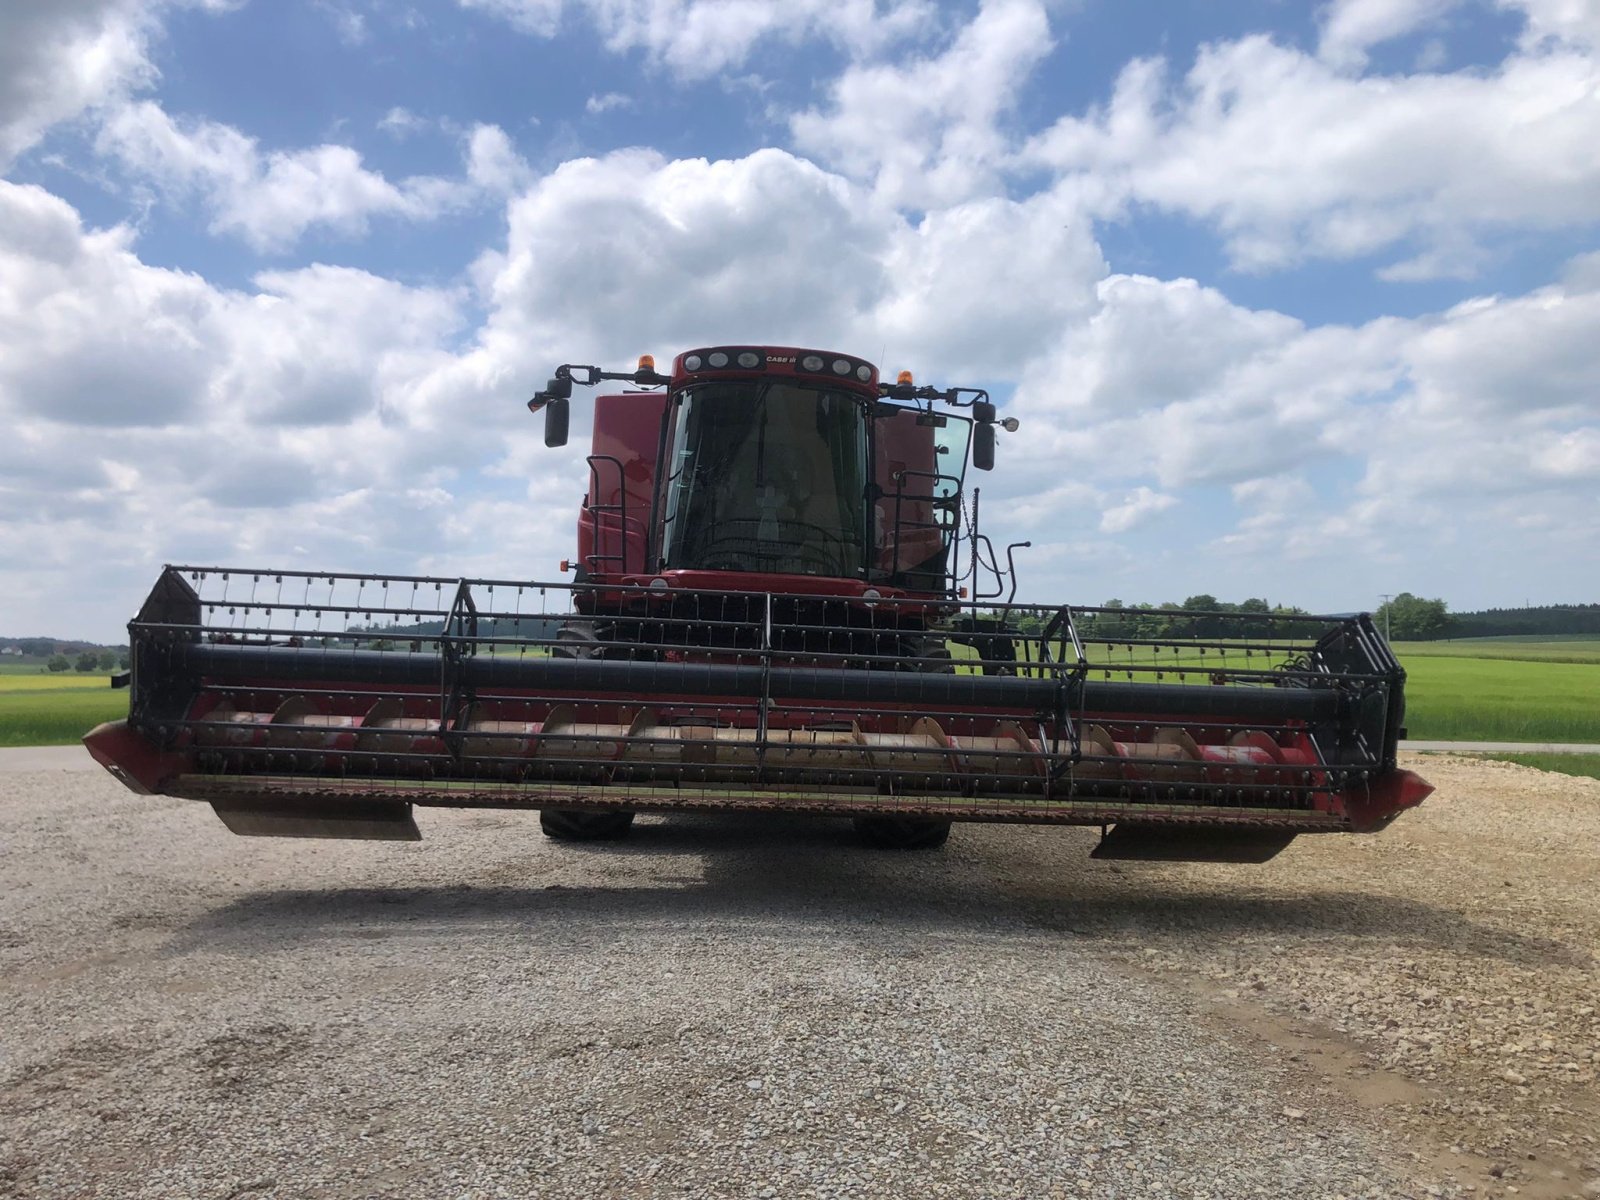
{"x": 730, "y": 1007}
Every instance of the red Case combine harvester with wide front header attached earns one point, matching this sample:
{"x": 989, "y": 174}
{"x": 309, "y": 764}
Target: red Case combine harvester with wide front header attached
{"x": 782, "y": 602}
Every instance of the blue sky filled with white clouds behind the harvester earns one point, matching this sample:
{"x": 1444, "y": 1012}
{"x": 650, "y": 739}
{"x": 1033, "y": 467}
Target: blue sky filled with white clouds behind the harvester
{"x": 1292, "y": 300}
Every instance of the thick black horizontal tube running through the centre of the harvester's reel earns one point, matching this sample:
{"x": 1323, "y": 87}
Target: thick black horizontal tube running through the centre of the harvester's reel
{"x": 244, "y": 665}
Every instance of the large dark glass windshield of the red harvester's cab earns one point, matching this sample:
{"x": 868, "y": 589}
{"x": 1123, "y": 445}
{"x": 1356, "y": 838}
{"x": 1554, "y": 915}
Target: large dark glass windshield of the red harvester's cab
{"x": 767, "y": 478}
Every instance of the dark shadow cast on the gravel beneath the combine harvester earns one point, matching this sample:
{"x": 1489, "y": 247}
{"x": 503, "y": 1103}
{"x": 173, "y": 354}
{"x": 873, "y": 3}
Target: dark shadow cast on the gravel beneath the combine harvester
{"x": 810, "y": 878}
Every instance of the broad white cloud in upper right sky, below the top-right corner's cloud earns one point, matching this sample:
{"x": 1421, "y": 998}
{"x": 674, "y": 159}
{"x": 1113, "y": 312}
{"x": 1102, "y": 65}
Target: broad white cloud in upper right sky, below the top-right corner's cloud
{"x": 1292, "y": 158}
